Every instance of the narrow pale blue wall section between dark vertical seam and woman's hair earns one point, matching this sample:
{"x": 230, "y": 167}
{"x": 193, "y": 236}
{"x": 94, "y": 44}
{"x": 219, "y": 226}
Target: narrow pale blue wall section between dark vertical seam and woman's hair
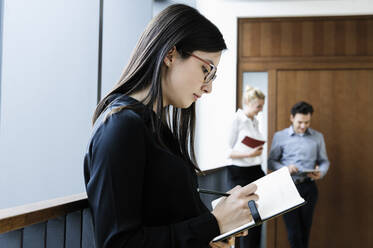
{"x": 124, "y": 22}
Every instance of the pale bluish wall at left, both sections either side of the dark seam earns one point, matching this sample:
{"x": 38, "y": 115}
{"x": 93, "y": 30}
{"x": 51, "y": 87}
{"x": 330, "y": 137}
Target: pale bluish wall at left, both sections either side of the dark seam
{"x": 49, "y": 89}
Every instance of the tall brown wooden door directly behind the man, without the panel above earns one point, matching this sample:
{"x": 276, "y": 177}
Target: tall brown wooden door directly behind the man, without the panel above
{"x": 343, "y": 103}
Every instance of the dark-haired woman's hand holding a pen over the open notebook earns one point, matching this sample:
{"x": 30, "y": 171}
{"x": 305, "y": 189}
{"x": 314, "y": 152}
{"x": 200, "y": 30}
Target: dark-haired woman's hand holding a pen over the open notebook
{"x": 233, "y": 211}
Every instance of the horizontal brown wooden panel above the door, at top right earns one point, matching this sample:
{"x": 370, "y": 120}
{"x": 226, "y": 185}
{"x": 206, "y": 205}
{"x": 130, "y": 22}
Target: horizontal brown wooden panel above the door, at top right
{"x": 305, "y": 37}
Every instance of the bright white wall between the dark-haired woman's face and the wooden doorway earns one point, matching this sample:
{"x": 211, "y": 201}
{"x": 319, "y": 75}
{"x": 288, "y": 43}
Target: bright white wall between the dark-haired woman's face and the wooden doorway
{"x": 215, "y": 111}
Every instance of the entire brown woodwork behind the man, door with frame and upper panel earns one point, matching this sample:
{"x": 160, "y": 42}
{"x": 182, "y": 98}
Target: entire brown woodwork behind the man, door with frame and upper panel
{"x": 327, "y": 61}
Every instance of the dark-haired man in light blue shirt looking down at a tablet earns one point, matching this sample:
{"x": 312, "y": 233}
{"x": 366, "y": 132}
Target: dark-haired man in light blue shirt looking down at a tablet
{"x": 301, "y": 149}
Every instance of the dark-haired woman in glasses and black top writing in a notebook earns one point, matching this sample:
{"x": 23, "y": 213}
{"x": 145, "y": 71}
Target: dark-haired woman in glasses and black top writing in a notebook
{"x": 140, "y": 169}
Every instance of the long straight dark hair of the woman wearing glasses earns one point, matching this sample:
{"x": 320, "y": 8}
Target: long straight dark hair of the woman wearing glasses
{"x": 177, "y": 26}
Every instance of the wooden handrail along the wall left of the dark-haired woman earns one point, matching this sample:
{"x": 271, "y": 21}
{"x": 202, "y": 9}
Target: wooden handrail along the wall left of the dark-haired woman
{"x": 25, "y": 215}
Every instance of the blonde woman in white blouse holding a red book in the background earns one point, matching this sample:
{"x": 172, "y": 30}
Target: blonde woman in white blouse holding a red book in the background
{"x": 245, "y": 164}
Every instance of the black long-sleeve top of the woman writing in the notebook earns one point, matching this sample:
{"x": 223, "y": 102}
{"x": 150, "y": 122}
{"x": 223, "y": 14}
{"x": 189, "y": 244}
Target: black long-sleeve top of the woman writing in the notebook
{"x": 140, "y": 194}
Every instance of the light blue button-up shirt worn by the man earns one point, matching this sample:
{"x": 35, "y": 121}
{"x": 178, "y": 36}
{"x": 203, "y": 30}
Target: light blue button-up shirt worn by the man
{"x": 303, "y": 150}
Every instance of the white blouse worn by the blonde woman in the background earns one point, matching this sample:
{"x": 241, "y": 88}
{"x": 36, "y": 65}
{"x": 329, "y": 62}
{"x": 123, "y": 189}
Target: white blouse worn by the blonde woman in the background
{"x": 243, "y": 126}
